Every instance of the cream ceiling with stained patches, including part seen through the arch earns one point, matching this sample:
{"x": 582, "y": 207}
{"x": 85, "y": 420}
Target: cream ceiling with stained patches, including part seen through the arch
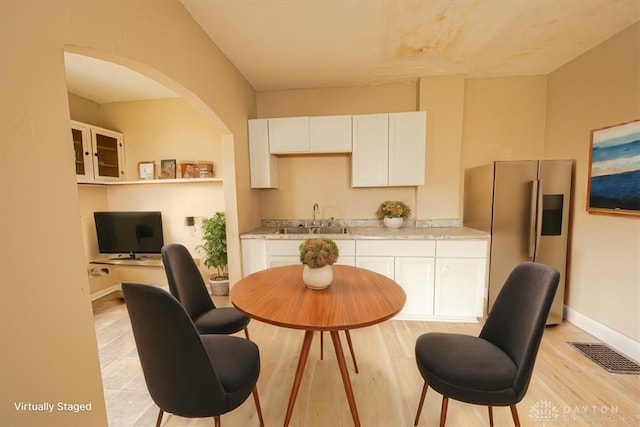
{"x": 291, "y": 44}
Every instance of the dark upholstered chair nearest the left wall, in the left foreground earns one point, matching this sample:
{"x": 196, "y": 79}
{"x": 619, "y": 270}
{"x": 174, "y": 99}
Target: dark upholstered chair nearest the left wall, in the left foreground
{"x": 189, "y": 374}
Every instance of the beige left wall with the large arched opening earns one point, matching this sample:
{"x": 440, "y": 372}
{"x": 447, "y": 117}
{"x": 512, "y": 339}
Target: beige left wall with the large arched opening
{"x": 51, "y": 355}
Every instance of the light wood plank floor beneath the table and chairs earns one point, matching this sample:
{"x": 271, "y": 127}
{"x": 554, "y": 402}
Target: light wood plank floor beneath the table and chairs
{"x": 566, "y": 389}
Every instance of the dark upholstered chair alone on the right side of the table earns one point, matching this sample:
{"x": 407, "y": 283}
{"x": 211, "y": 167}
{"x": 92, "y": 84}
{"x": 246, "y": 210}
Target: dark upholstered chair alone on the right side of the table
{"x": 494, "y": 368}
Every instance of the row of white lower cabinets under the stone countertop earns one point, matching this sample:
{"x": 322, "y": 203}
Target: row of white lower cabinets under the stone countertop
{"x": 444, "y": 279}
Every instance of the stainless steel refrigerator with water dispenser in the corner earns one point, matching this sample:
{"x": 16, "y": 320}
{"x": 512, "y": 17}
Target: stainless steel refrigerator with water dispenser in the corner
{"x": 524, "y": 205}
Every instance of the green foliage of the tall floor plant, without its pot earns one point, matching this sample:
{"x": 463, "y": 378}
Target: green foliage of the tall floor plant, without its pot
{"x": 214, "y": 237}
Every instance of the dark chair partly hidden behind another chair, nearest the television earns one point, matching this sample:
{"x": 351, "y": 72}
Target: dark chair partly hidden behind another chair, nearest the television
{"x": 188, "y": 287}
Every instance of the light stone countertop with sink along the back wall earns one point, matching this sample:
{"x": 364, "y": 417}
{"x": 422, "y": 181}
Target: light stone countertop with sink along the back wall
{"x": 375, "y": 232}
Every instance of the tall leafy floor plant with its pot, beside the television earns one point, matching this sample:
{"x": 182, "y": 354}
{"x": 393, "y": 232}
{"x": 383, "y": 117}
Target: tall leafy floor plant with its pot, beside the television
{"x": 214, "y": 246}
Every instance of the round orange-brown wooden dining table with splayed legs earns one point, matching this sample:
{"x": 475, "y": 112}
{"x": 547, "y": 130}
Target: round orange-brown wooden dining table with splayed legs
{"x": 356, "y": 298}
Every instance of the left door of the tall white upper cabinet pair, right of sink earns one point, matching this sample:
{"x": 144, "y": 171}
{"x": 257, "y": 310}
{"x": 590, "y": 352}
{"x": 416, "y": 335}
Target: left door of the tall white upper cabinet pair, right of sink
{"x": 370, "y": 158}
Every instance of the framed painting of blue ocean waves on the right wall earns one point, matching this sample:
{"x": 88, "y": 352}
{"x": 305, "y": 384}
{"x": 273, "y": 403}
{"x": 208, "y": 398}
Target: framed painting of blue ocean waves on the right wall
{"x": 614, "y": 170}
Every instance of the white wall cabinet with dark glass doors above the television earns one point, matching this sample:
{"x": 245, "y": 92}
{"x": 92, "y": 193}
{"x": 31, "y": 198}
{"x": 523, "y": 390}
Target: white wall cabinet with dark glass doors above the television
{"x": 99, "y": 153}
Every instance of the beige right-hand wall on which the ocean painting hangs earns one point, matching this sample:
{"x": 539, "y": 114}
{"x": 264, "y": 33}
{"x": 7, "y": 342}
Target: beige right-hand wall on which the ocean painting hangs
{"x": 600, "y": 88}
